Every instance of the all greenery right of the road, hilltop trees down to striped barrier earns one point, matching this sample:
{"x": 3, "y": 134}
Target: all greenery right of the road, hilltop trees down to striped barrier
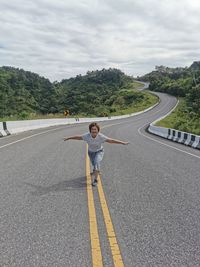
{"x": 180, "y": 82}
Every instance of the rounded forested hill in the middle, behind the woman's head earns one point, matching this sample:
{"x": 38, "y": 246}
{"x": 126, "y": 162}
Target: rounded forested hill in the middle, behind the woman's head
{"x": 93, "y": 93}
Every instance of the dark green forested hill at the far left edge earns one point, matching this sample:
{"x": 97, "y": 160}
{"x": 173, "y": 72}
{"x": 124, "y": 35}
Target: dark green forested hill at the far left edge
{"x": 24, "y": 91}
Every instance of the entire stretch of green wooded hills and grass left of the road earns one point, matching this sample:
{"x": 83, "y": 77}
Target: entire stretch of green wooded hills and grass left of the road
{"x": 26, "y": 95}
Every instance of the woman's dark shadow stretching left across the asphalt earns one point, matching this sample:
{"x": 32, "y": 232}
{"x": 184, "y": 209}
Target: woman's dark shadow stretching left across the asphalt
{"x": 74, "y": 184}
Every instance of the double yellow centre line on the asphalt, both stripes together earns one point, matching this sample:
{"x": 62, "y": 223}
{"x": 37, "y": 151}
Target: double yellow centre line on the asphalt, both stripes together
{"x": 95, "y": 244}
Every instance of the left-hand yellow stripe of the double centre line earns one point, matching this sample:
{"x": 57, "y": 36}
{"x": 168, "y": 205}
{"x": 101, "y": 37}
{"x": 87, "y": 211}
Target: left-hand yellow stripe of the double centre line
{"x": 94, "y": 236}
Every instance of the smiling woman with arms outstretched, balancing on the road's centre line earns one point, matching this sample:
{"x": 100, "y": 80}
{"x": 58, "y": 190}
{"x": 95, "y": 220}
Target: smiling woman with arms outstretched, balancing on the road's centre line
{"x": 95, "y": 149}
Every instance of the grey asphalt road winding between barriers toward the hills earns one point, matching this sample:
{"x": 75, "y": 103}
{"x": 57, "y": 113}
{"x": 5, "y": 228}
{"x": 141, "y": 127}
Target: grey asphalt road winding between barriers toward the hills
{"x": 152, "y": 189}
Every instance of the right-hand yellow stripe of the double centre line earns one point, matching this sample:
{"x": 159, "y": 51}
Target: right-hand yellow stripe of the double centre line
{"x": 117, "y": 258}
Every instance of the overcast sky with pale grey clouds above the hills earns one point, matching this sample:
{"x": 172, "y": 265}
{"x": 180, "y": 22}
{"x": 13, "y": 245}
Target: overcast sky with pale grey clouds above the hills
{"x": 62, "y": 38}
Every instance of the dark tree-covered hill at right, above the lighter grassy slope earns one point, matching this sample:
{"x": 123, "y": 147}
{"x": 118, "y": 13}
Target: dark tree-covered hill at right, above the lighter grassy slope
{"x": 182, "y": 82}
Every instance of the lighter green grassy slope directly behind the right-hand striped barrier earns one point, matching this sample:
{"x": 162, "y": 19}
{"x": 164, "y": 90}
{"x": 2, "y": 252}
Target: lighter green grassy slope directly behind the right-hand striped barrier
{"x": 182, "y": 119}
